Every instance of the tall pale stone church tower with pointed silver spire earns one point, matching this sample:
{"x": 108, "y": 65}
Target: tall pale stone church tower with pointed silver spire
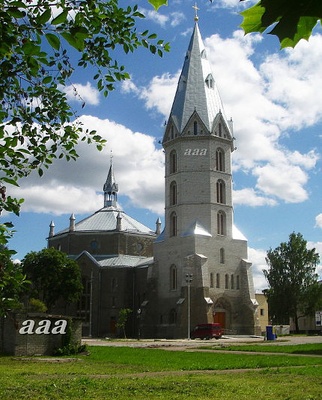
{"x": 200, "y": 273}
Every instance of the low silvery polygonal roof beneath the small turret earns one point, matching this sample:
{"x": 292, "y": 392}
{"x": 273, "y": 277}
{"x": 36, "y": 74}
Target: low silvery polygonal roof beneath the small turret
{"x": 105, "y": 220}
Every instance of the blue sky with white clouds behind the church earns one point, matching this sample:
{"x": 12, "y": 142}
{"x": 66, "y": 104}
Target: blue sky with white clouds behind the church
{"x": 274, "y": 97}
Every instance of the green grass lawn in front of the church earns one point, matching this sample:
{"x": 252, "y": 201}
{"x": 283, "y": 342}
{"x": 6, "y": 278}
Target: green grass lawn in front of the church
{"x": 140, "y": 373}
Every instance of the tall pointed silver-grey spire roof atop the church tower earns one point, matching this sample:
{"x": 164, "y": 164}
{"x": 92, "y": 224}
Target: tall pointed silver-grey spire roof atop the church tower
{"x": 193, "y": 91}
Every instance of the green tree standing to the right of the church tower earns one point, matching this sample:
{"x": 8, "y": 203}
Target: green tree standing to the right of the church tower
{"x": 292, "y": 280}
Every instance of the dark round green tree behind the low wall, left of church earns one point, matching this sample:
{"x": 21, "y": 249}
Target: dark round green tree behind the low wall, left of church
{"x": 53, "y": 276}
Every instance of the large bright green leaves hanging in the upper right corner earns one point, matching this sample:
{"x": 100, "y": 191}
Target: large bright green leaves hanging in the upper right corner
{"x": 291, "y": 21}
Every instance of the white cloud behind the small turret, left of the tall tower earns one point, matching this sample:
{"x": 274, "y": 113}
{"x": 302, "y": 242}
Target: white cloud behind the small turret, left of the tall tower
{"x": 73, "y": 186}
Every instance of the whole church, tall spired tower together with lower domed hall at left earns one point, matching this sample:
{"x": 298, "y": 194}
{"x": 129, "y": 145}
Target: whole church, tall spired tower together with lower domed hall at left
{"x": 196, "y": 270}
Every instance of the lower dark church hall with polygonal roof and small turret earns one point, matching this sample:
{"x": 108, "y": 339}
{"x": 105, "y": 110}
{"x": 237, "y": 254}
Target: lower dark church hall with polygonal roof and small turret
{"x": 114, "y": 251}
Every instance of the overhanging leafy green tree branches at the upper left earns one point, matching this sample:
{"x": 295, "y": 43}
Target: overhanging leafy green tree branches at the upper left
{"x": 41, "y": 44}
